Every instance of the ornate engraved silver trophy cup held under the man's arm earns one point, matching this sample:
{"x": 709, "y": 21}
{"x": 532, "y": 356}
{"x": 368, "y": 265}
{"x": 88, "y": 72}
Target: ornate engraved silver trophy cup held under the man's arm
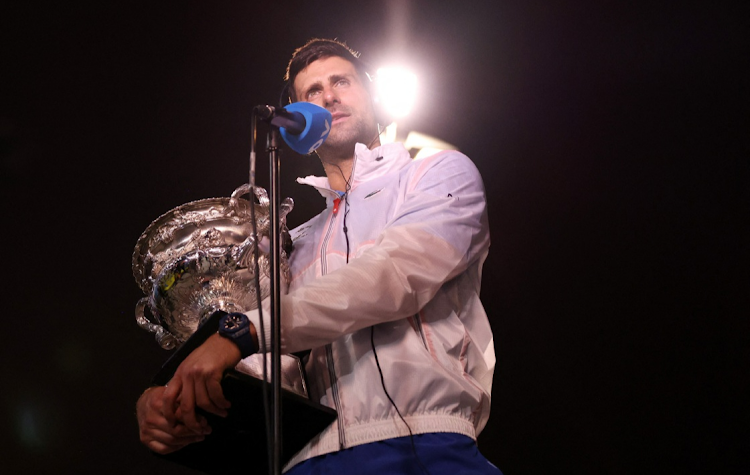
{"x": 199, "y": 258}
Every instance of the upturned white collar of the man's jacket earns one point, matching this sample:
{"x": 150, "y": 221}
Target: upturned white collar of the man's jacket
{"x": 368, "y": 165}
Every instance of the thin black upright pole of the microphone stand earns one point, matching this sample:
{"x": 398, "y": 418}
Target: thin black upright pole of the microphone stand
{"x": 272, "y": 147}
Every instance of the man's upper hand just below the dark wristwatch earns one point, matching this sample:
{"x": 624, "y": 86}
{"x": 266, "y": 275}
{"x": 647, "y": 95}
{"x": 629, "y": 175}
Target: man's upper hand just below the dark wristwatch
{"x": 197, "y": 383}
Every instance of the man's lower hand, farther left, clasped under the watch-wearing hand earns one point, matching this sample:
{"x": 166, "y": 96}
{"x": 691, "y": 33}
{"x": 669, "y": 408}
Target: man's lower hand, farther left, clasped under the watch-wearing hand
{"x": 156, "y": 432}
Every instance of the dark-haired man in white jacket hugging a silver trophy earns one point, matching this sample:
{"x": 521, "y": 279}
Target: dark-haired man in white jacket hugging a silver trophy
{"x": 384, "y": 292}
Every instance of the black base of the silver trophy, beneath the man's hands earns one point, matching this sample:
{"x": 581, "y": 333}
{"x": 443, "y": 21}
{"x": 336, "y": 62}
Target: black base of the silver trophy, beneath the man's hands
{"x": 238, "y": 443}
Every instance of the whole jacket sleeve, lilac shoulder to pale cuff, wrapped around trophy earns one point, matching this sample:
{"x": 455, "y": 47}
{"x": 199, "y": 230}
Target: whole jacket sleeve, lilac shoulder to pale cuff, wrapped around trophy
{"x": 438, "y": 230}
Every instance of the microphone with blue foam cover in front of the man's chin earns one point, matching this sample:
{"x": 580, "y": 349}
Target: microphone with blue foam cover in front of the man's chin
{"x": 303, "y": 126}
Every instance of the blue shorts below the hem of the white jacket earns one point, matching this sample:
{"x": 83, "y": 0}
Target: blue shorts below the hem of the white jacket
{"x": 439, "y": 453}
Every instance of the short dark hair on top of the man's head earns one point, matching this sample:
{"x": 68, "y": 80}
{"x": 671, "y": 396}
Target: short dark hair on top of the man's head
{"x": 313, "y": 50}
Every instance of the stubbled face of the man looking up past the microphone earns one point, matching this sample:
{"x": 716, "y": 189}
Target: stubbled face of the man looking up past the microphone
{"x": 334, "y": 83}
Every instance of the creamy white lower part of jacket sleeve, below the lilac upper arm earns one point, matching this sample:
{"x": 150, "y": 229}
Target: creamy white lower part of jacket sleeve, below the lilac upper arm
{"x": 393, "y": 280}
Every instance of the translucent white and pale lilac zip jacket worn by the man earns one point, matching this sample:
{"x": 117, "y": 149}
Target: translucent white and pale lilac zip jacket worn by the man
{"x": 417, "y": 237}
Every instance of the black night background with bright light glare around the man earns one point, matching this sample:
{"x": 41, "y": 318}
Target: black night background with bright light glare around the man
{"x": 612, "y": 139}
